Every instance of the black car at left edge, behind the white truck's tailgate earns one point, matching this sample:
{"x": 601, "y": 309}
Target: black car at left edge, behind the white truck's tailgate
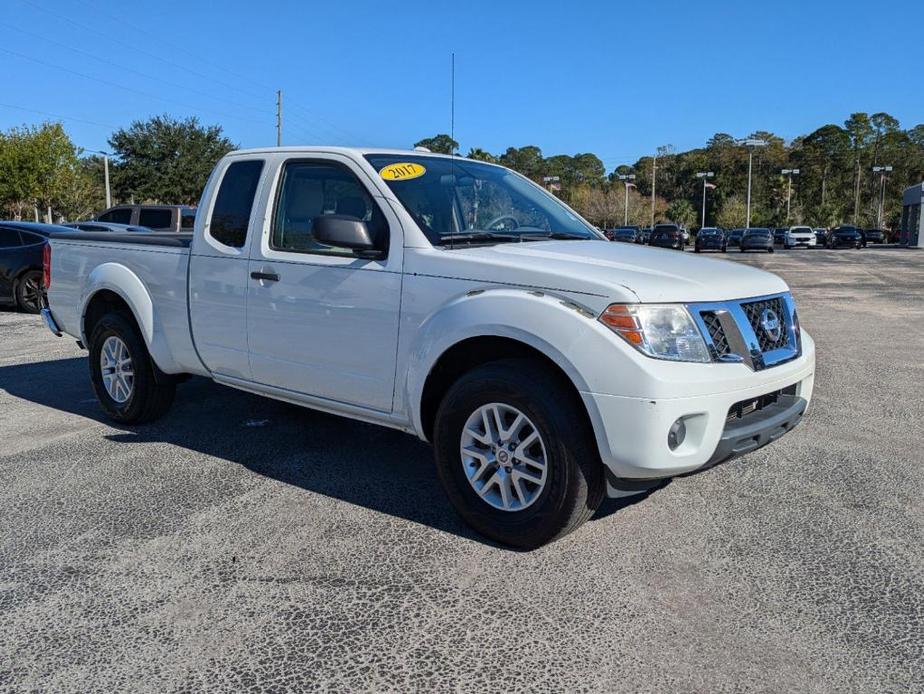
{"x": 21, "y": 247}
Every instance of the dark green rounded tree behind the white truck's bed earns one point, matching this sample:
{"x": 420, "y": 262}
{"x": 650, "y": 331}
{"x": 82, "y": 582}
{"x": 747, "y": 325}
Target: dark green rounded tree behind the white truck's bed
{"x": 166, "y": 160}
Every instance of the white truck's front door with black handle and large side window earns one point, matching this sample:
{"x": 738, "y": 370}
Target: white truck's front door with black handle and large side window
{"x": 320, "y": 320}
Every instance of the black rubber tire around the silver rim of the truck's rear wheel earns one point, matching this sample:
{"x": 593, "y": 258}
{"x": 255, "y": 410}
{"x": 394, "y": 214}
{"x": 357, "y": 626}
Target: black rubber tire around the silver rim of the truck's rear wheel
{"x": 152, "y": 391}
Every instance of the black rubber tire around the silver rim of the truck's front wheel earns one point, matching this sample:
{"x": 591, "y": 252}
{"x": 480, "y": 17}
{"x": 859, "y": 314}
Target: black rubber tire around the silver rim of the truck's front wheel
{"x": 575, "y": 486}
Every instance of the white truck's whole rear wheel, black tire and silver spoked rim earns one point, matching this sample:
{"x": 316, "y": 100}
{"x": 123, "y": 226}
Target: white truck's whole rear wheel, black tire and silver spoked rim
{"x": 128, "y": 385}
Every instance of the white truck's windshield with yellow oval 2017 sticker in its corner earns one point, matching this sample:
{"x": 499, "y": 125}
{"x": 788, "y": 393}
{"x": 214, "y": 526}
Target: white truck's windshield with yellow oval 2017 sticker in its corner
{"x": 459, "y": 201}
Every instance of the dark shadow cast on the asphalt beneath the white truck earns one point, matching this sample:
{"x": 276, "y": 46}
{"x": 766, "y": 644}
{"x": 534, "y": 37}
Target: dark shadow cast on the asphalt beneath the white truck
{"x": 370, "y": 466}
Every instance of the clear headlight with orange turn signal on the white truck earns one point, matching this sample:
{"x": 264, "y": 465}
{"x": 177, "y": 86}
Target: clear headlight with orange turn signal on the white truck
{"x": 663, "y": 331}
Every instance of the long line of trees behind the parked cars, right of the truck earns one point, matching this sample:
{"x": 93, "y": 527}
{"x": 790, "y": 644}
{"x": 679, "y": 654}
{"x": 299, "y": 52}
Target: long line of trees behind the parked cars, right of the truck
{"x": 835, "y": 184}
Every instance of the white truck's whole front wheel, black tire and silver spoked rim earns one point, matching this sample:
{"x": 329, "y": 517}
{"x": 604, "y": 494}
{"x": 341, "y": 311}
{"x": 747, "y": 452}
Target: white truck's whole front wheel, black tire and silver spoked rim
{"x": 516, "y": 455}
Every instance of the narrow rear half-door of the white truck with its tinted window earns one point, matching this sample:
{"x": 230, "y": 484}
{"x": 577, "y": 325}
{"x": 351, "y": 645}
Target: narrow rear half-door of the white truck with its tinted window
{"x": 218, "y": 271}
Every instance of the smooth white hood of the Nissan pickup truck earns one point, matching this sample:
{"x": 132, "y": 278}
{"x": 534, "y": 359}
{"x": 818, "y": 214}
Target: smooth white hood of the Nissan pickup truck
{"x": 617, "y": 271}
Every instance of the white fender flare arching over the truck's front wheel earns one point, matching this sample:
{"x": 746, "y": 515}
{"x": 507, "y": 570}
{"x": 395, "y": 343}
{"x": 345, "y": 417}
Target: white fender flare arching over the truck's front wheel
{"x": 503, "y": 312}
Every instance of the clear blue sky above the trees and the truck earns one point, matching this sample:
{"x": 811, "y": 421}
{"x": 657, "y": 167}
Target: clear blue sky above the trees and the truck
{"x": 615, "y": 79}
